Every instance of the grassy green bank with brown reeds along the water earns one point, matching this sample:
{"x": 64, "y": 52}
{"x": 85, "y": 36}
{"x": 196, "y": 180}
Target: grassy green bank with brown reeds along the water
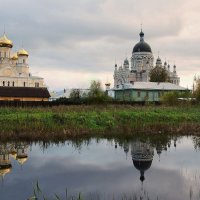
{"x": 65, "y": 122}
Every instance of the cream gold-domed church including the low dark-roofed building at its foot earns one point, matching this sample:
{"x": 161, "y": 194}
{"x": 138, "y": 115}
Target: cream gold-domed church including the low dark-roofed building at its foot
{"x": 15, "y": 75}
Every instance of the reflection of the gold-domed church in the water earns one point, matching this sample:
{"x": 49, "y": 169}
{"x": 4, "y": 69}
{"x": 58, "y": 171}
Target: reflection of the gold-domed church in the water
{"x": 17, "y": 151}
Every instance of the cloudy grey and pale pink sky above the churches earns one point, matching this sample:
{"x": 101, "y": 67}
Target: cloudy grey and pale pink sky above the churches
{"x": 72, "y": 42}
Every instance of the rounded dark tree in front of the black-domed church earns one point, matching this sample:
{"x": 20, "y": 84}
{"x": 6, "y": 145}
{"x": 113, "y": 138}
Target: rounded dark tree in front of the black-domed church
{"x": 159, "y": 74}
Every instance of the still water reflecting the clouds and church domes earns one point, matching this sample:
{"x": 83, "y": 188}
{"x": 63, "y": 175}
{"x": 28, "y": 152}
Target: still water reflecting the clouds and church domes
{"x": 103, "y": 169}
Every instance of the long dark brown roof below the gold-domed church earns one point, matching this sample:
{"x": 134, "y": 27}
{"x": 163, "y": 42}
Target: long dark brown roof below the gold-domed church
{"x": 24, "y": 92}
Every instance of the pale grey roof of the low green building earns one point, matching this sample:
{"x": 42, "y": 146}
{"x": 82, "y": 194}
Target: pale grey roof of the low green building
{"x": 152, "y": 86}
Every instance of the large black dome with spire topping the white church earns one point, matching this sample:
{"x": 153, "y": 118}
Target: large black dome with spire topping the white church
{"x": 142, "y": 46}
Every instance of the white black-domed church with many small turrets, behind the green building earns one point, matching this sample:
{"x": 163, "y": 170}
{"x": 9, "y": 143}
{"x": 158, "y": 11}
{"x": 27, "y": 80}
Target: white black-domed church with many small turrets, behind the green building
{"x": 141, "y": 62}
